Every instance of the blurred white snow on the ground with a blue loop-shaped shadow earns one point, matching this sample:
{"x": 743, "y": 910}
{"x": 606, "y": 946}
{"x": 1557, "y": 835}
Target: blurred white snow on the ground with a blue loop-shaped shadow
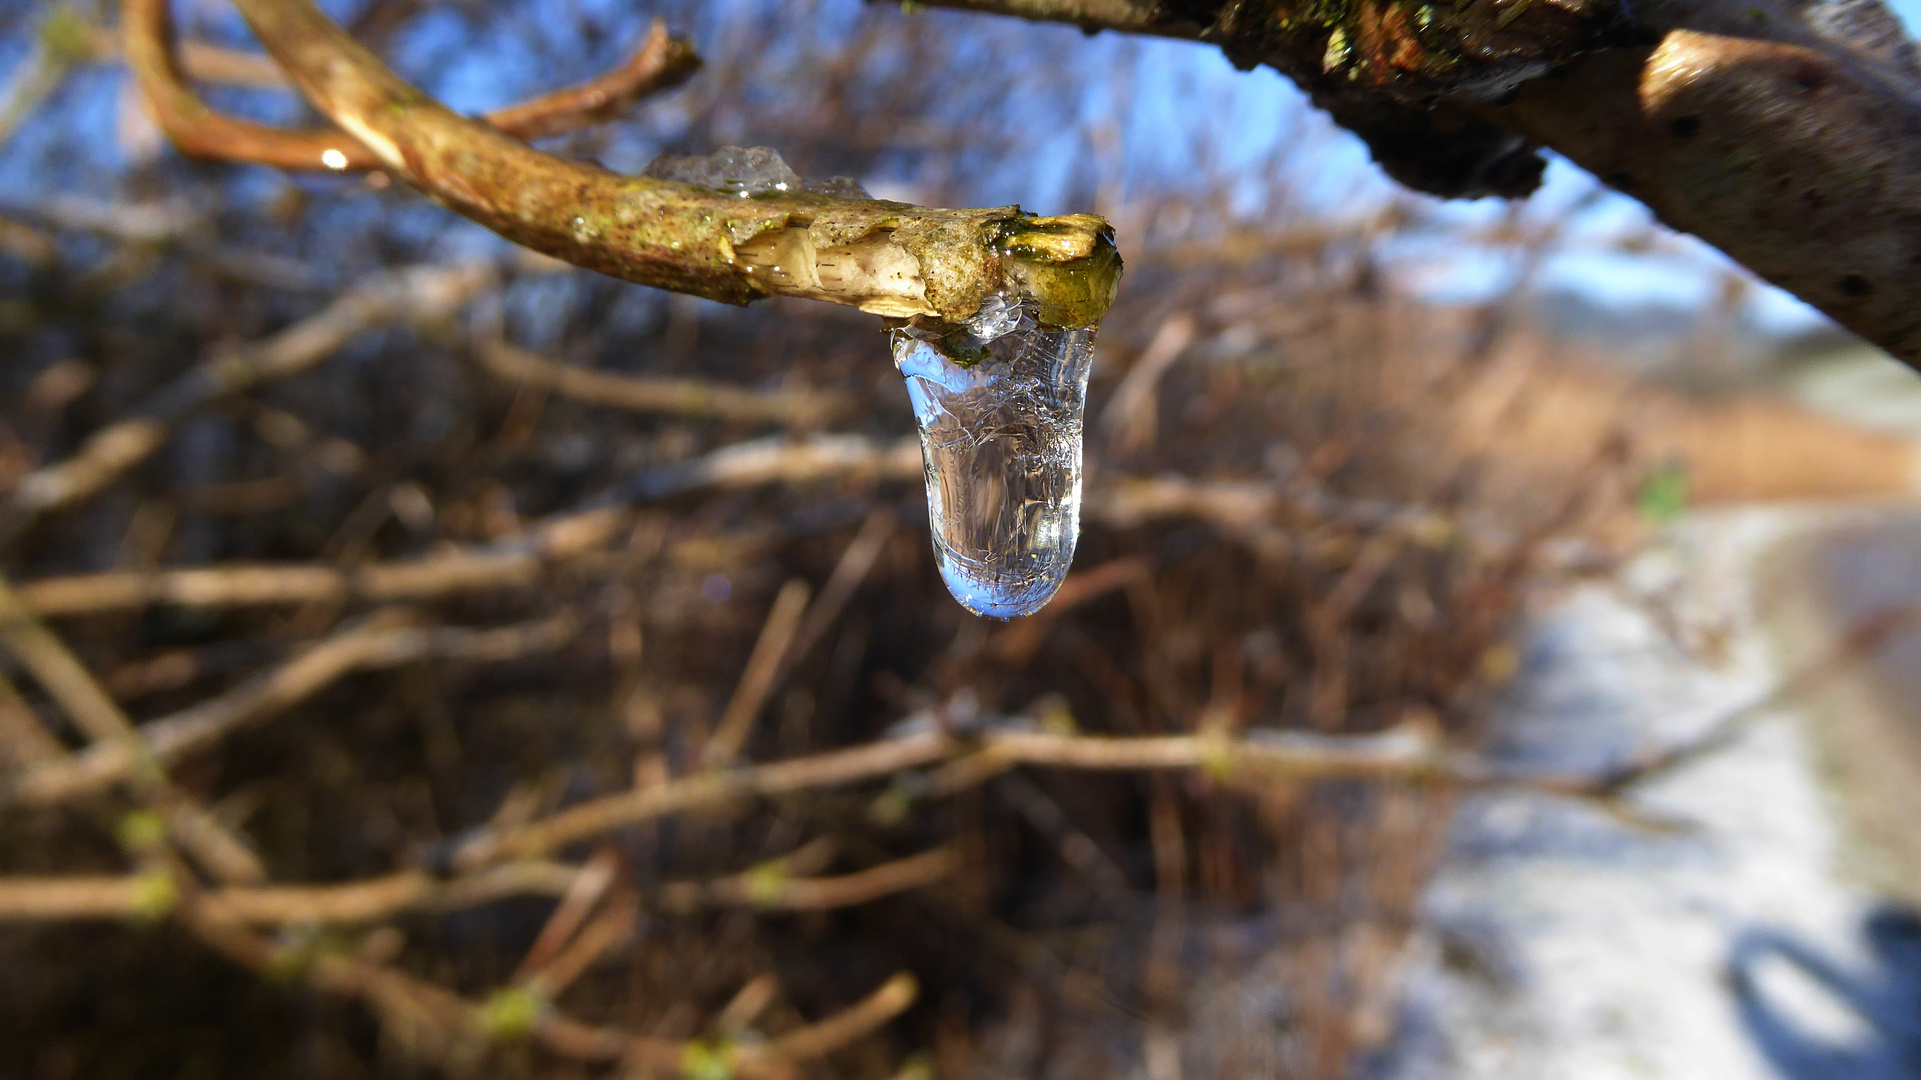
{"x": 1563, "y": 945}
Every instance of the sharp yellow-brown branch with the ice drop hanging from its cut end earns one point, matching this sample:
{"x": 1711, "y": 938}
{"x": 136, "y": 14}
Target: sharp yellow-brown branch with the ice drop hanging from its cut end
{"x": 881, "y": 257}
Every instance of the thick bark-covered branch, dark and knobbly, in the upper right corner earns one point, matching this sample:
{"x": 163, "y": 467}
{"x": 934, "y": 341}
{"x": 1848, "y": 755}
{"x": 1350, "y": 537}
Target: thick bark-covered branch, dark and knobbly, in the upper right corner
{"x": 1786, "y": 134}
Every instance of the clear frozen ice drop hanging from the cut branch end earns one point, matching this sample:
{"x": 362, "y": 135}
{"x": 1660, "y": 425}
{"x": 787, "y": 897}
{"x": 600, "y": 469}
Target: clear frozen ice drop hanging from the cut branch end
{"x": 1000, "y": 410}
